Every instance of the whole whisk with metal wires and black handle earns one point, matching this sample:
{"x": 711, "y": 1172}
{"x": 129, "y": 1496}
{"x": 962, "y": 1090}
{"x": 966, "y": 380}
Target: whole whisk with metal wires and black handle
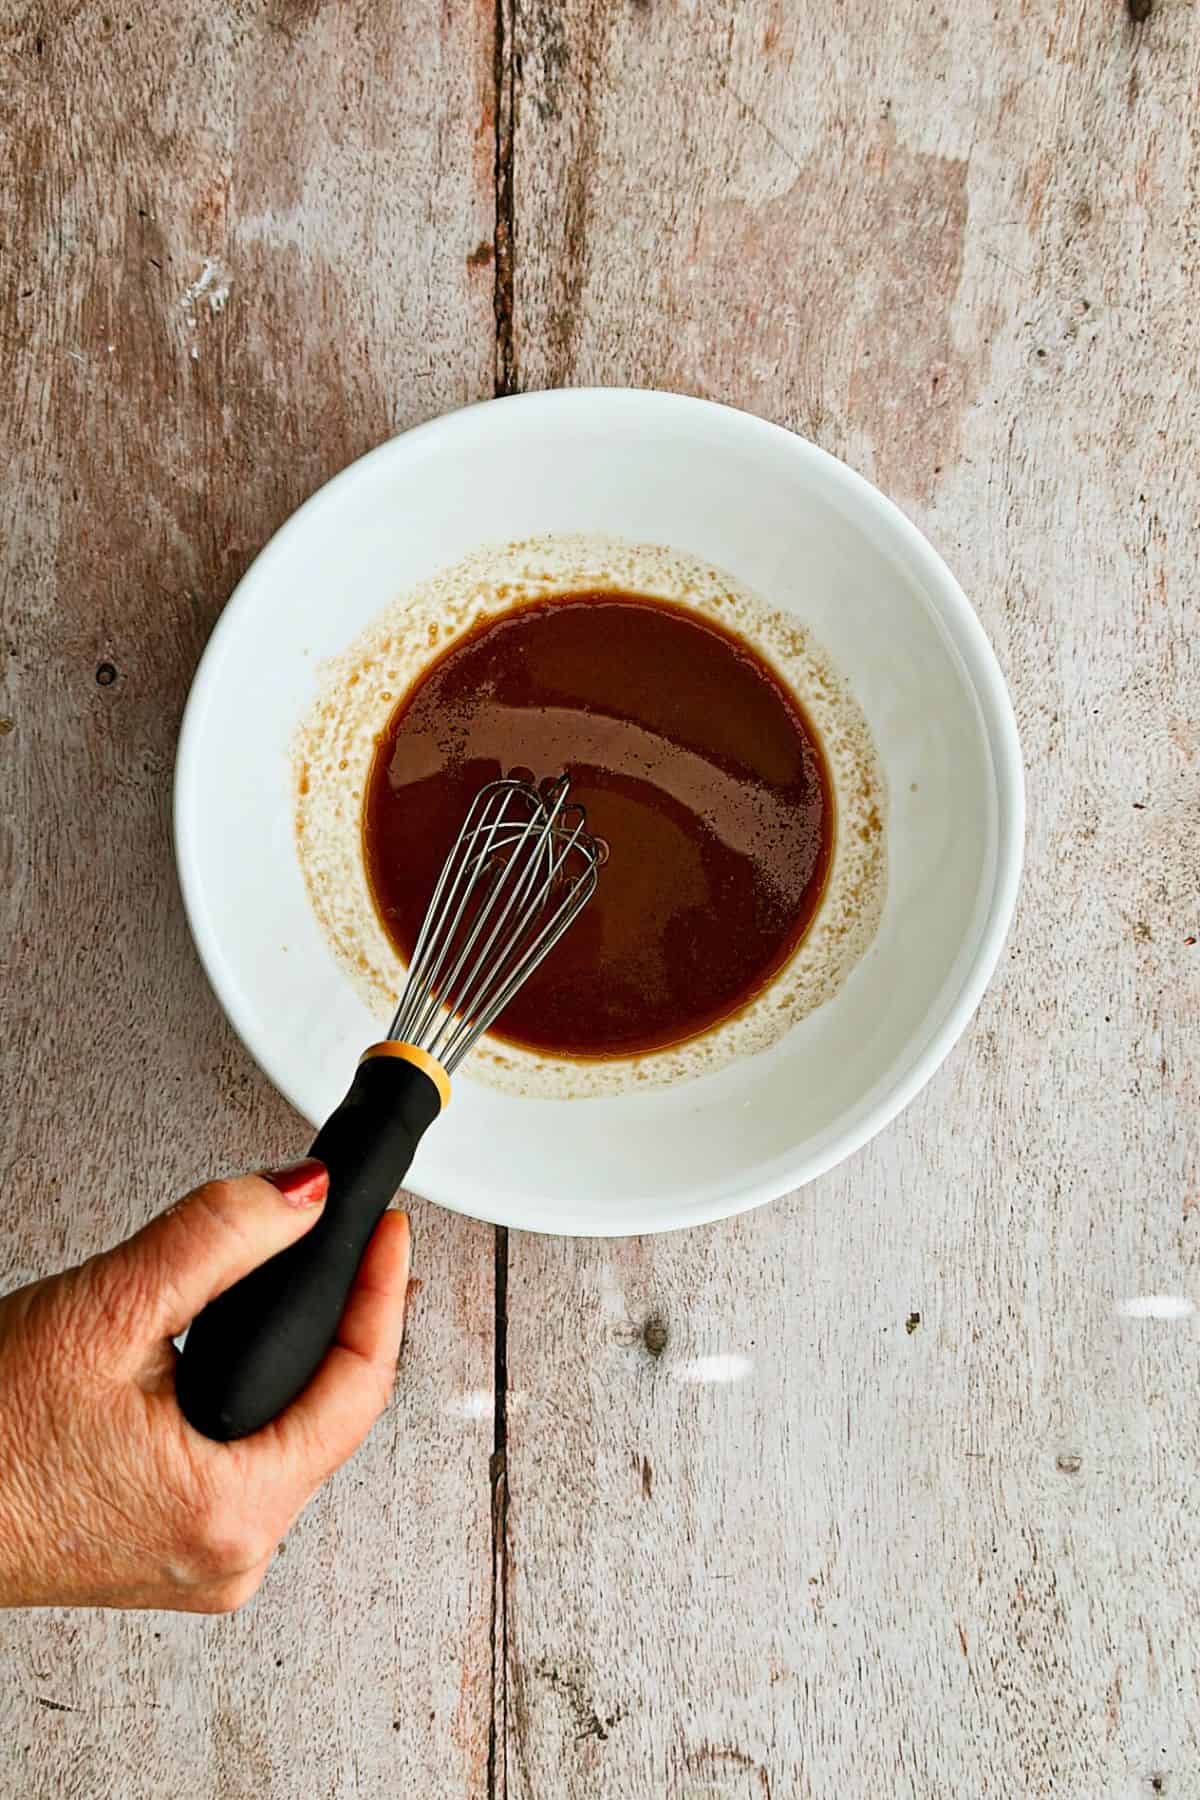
{"x": 521, "y": 870}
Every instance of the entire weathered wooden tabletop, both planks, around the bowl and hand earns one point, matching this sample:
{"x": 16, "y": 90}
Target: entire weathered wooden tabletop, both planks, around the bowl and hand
{"x": 875, "y": 1493}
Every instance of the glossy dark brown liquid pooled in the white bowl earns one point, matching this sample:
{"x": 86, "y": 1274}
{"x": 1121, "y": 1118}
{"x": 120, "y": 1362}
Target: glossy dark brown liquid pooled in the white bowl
{"x": 694, "y": 762}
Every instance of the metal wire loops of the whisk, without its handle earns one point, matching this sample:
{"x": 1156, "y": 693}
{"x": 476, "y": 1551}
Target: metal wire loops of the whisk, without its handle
{"x": 521, "y": 872}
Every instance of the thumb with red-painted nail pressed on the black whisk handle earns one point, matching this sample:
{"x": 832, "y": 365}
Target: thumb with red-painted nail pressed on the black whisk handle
{"x": 181, "y": 1261}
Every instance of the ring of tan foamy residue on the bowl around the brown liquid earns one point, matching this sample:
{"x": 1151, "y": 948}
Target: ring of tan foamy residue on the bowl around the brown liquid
{"x": 361, "y": 690}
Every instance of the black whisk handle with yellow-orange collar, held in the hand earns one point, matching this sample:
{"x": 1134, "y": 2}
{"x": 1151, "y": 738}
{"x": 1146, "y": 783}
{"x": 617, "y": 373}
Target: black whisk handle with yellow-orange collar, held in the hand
{"x": 260, "y": 1344}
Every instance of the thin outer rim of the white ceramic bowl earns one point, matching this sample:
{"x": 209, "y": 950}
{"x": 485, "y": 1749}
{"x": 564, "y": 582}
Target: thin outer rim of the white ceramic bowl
{"x": 958, "y": 620}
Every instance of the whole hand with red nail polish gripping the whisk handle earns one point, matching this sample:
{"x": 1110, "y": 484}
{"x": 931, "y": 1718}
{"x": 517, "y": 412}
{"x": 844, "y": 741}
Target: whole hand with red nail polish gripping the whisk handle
{"x": 107, "y": 1495}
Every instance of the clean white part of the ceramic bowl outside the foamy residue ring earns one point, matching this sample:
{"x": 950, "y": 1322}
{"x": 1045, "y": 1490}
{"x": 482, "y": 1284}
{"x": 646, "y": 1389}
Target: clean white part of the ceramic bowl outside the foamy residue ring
{"x": 809, "y": 535}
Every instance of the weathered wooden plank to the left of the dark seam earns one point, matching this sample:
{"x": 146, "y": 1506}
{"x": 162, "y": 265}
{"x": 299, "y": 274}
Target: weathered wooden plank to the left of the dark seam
{"x": 238, "y": 246}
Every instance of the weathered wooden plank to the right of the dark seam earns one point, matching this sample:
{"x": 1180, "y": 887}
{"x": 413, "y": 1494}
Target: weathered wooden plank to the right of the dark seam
{"x": 881, "y": 1491}
